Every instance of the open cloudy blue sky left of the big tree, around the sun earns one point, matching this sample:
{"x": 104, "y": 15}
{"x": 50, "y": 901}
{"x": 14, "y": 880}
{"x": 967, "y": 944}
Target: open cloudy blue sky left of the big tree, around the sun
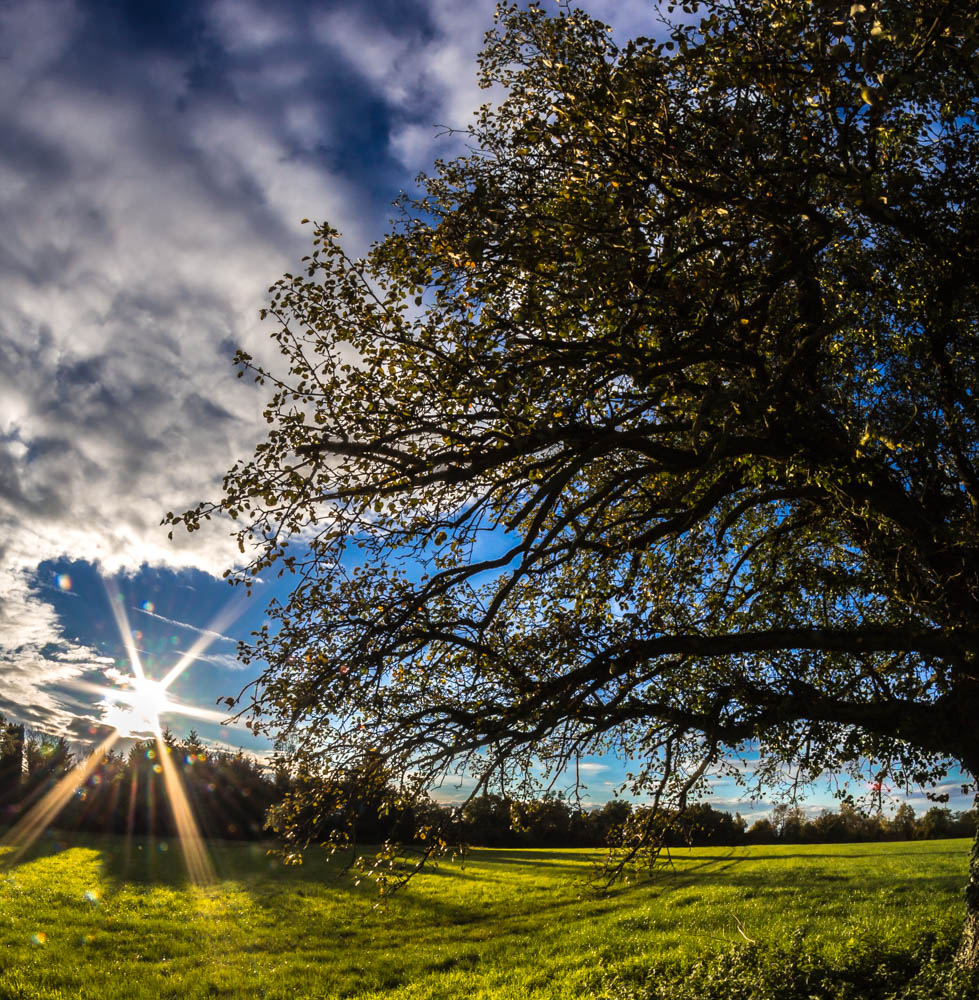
{"x": 156, "y": 161}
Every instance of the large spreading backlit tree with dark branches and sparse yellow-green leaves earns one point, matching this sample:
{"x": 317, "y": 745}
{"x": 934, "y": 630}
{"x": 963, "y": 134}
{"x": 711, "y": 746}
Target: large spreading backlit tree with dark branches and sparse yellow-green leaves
{"x": 669, "y": 388}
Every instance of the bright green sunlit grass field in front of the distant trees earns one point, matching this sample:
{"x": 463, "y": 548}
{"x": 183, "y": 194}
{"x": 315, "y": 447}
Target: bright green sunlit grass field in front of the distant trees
{"x": 110, "y": 919}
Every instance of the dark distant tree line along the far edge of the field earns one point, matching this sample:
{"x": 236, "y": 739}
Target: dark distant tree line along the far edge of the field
{"x": 235, "y": 797}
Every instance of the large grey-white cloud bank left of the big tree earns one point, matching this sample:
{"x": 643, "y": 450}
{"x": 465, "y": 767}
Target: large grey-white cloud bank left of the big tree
{"x": 142, "y": 226}
